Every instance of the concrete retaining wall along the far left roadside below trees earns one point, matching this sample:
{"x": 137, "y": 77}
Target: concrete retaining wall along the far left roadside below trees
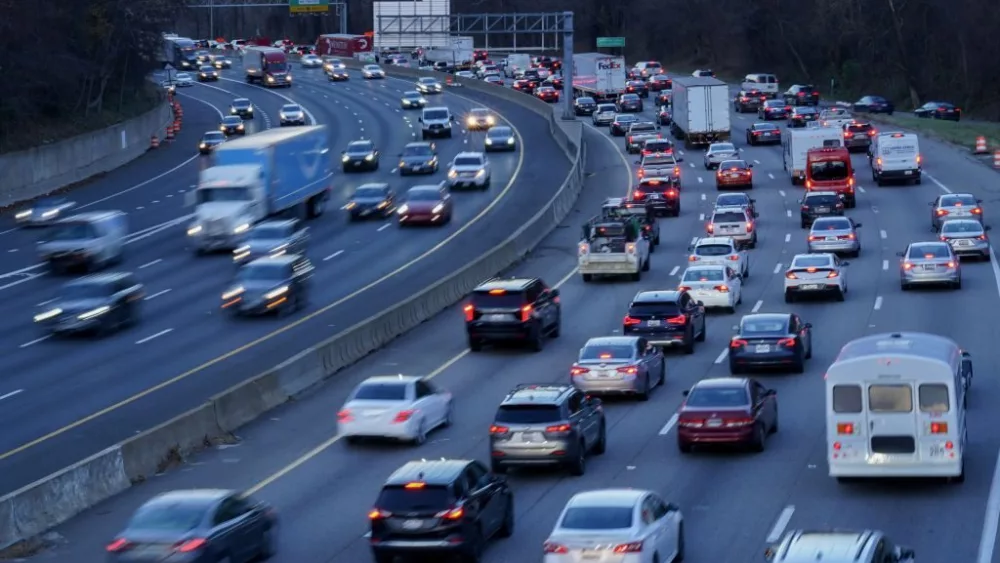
{"x": 41, "y": 170}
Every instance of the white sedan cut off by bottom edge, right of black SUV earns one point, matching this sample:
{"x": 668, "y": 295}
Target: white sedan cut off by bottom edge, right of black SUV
{"x": 620, "y": 525}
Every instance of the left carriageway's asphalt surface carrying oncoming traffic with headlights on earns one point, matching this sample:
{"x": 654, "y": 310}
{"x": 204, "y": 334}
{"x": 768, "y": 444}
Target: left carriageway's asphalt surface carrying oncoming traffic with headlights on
{"x": 65, "y": 399}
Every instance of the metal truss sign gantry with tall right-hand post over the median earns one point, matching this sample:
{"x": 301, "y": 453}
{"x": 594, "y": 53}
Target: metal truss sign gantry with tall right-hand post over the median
{"x": 557, "y": 24}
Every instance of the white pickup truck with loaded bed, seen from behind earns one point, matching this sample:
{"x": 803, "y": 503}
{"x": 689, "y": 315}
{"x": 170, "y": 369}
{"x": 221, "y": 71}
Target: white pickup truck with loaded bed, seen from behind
{"x": 610, "y": 249}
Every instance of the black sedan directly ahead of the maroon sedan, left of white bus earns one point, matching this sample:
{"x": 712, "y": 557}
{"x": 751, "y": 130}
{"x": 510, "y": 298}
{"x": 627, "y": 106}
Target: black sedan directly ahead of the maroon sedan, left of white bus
{"x": 770, "y": 340}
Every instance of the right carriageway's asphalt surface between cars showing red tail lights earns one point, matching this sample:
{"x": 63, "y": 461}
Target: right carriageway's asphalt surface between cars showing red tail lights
{"x": 733, "y": 503}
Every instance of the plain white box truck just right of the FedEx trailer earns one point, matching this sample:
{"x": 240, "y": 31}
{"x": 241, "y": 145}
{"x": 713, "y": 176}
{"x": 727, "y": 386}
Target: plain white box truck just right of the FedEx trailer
{"x": 700, "y": 110}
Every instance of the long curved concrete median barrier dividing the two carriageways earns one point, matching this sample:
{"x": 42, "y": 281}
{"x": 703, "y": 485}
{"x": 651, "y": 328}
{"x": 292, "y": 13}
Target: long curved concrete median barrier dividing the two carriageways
{"x": 33, "y": 510}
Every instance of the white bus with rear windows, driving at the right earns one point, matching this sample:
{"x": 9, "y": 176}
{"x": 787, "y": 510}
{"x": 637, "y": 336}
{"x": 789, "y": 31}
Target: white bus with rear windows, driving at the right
{"x": 895, "y": 407}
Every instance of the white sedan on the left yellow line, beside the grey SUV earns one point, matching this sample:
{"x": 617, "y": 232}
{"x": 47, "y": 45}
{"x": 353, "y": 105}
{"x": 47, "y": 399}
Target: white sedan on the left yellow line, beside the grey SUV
{"x": 398, "y": 407}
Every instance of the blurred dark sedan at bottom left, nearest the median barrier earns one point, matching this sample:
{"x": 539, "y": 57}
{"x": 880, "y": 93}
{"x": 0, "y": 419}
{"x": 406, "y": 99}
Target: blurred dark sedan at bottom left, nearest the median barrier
{"x": 197, "y": 526}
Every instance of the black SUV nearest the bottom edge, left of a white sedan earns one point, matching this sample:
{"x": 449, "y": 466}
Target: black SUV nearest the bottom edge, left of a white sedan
{"x": 440, "y": 507}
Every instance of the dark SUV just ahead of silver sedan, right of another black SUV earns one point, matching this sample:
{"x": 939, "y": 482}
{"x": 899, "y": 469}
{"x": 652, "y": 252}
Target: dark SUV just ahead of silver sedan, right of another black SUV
{"x": 666, "y": 318}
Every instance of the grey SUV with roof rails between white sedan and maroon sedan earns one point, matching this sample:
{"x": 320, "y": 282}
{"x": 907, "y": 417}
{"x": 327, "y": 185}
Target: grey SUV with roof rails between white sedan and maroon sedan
{"x": 547, "y": 424}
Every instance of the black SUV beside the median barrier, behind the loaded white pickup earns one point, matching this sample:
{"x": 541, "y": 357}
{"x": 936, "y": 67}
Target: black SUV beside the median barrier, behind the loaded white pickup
{"x": 512, "y": 310}
